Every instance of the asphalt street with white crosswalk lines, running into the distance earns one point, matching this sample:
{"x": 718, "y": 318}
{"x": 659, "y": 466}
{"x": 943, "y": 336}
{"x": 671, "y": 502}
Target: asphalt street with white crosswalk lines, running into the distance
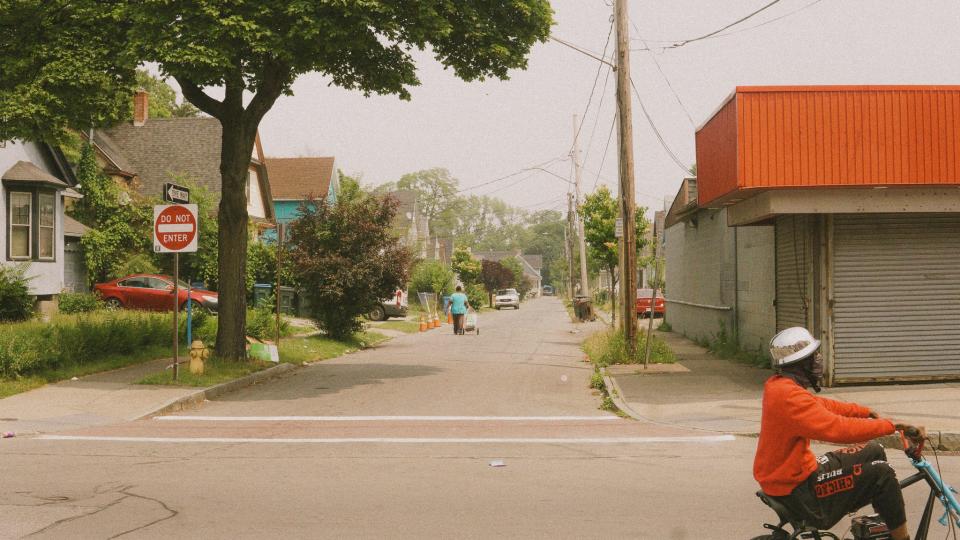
{"x": 495, "y": 435}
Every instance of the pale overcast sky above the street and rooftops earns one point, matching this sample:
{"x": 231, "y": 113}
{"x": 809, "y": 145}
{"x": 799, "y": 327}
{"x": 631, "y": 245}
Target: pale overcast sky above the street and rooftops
{"x": 484, "y": 131}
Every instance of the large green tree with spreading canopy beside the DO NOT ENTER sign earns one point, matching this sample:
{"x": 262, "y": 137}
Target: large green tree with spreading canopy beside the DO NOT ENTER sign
{"x": 253, "y": 51}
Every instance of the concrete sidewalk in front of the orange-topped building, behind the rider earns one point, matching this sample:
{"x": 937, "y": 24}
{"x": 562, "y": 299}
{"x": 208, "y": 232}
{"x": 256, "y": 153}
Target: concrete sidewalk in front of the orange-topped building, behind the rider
{"x": 711, "y": 394}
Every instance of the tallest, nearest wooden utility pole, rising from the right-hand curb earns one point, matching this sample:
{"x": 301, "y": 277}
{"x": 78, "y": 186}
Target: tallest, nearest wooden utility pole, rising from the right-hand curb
{"x": 628, "y": 271}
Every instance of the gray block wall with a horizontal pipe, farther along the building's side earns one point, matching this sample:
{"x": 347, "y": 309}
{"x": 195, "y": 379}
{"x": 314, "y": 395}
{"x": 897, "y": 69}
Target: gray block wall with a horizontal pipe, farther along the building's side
{"x": 700, "y": 270}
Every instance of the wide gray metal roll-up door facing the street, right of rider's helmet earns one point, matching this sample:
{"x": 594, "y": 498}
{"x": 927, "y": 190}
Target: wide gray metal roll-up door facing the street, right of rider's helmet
{"x": 896, "y": 297}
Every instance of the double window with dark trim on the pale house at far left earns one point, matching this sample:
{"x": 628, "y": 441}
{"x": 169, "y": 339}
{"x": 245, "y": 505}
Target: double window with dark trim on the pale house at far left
{"x": 32, "y": 225}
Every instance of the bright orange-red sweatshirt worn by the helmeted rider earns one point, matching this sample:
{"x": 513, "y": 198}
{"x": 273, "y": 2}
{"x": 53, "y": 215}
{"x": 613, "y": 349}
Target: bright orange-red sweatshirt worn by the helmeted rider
{"x": 790, "y": 418}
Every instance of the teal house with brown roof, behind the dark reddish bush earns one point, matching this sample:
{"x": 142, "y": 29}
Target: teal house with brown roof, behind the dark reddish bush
{"x": 294, "y": 181}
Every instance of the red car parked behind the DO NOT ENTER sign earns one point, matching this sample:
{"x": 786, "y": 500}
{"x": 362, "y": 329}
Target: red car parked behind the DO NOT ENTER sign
{"x": 152, "y": 292}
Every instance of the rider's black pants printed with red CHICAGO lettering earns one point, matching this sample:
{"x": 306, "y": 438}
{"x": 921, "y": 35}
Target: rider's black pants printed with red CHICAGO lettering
{"x": 846, "y": 480}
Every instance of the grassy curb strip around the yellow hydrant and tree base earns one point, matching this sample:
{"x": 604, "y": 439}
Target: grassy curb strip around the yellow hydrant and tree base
{"x": 295, "y": 350}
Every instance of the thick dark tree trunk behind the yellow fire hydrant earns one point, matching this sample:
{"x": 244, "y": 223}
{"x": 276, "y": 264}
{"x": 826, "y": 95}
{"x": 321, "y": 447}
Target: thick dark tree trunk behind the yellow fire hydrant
{"x": 237, "y": 147}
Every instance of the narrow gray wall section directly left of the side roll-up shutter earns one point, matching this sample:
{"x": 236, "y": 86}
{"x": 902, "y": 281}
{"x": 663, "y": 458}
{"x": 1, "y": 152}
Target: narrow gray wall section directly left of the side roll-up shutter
{"x": 756, "y": 279}
